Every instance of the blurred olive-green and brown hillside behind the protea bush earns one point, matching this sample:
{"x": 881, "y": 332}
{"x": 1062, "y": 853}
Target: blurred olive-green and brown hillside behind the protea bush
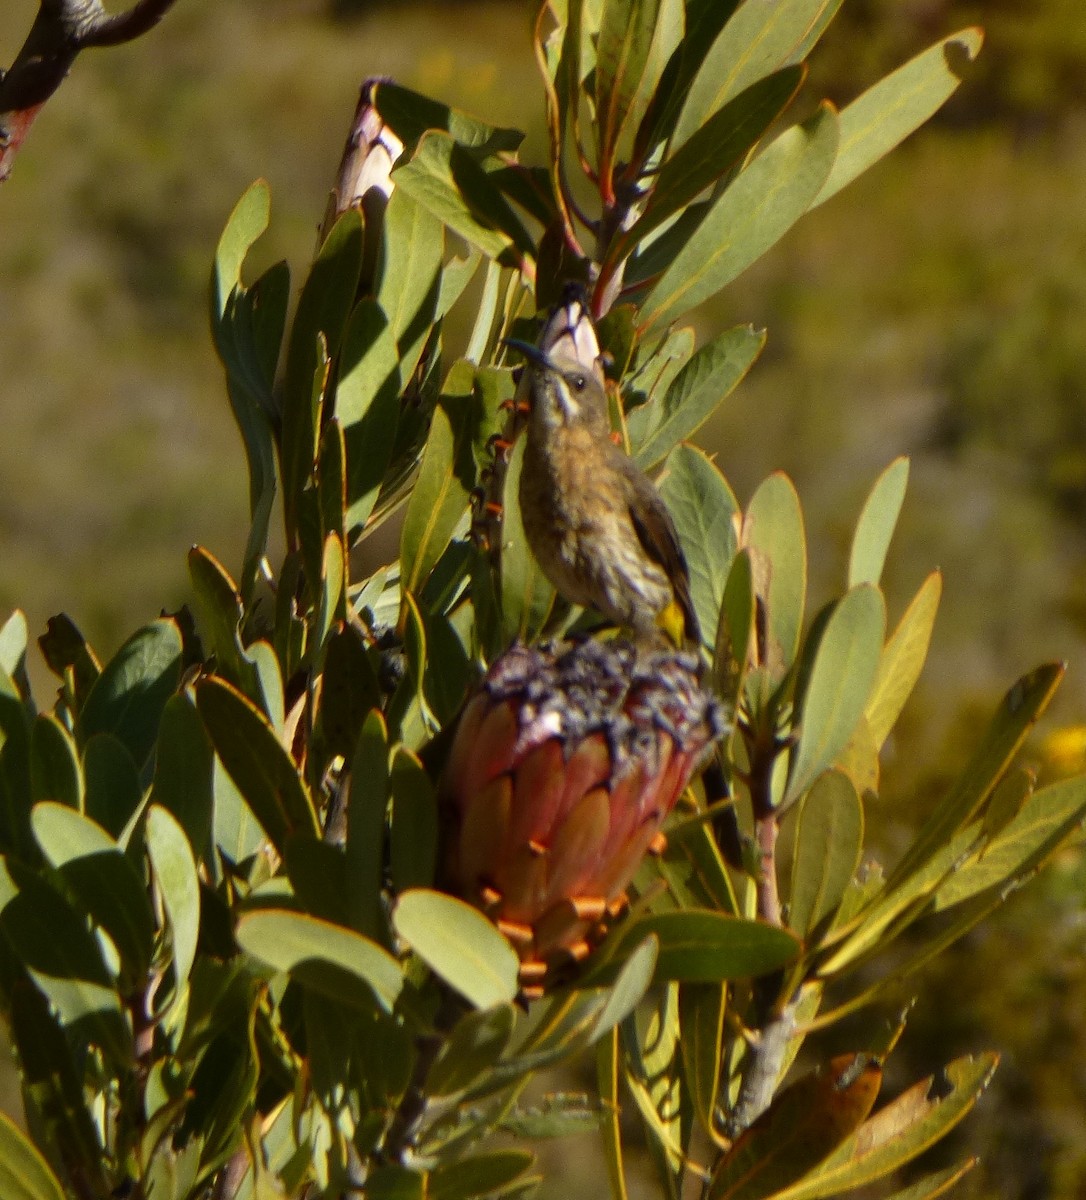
{"x": 937, "y": 309}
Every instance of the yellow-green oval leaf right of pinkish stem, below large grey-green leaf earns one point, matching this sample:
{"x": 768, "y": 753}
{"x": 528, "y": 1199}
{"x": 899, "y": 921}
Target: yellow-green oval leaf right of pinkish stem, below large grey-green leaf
{"x": 830, "y": 836}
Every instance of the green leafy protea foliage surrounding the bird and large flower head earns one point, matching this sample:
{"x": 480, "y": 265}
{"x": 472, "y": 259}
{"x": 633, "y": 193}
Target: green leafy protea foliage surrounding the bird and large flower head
{"x": 226, "y": 957}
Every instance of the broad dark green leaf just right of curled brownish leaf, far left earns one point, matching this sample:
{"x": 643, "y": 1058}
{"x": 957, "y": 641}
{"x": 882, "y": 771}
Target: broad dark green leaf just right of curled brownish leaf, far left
{"x": 128, "y": 699}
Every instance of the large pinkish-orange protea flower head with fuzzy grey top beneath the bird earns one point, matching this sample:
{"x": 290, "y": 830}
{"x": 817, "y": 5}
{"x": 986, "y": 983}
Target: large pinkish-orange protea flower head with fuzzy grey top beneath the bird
{"x": 561, "y": 776}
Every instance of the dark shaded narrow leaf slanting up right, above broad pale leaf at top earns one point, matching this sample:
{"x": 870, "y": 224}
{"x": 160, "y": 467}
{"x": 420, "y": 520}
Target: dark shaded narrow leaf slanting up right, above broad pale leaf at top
{"x": 713, "y": 151}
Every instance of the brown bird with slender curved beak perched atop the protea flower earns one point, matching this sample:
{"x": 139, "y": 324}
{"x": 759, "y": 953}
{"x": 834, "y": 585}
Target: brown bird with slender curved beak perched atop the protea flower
{"x": 595, "y": 521}
